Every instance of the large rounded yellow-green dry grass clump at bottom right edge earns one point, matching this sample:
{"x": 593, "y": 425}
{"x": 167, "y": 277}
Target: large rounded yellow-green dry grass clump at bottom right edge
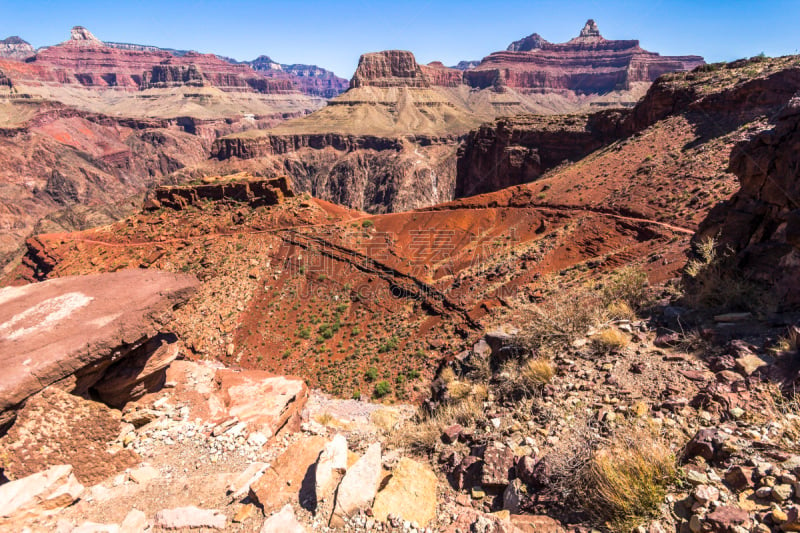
{"x": 627, "y": 479}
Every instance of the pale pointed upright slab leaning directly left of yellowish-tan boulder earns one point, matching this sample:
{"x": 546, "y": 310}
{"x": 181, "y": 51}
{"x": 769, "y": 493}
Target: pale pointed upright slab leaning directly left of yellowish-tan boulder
{"x": 358, "y": 487}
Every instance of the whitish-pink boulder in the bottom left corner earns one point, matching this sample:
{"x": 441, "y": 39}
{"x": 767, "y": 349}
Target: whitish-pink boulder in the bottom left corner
{"x": 39, "y": 494}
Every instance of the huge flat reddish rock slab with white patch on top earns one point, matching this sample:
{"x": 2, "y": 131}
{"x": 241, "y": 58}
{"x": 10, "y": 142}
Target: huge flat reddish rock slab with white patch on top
{"x": 52, "y": 330}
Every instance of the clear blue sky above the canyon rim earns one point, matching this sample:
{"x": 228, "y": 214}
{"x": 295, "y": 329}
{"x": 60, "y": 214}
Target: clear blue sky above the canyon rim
{"x": 334, "y": 34}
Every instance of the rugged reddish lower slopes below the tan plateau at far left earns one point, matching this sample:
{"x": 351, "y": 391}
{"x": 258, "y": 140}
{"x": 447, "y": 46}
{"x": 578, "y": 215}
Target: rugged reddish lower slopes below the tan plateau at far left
{"x": 87, "y": 162}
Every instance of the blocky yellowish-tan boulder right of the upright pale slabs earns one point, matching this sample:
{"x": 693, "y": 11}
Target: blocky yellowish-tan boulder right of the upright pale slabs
{"x": 409, "y": 494}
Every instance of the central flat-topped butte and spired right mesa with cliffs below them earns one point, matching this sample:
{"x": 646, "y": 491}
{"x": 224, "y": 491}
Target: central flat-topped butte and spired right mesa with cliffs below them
{"x": 397, "y": 108}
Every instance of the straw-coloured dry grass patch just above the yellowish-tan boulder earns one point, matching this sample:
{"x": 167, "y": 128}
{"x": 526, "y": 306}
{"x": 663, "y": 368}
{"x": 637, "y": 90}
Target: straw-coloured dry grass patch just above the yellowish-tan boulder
{"x": 423, "y": 434}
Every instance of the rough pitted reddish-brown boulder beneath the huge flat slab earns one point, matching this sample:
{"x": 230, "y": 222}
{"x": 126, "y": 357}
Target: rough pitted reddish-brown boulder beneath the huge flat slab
{"x": 56, "y": 428}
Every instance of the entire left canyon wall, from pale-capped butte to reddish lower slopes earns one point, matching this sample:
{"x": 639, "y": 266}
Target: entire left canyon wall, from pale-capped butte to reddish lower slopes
{"x": 86, "y": 125}
